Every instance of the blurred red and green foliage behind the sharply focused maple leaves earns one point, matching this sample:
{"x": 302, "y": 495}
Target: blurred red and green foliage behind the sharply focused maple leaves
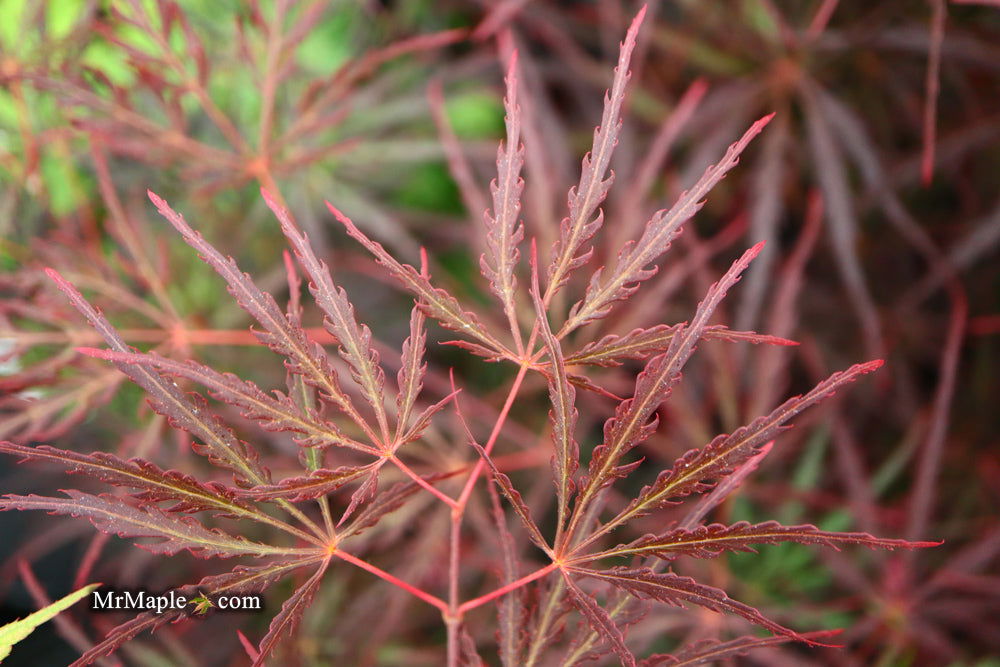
{"x": 379, "y": 106}
